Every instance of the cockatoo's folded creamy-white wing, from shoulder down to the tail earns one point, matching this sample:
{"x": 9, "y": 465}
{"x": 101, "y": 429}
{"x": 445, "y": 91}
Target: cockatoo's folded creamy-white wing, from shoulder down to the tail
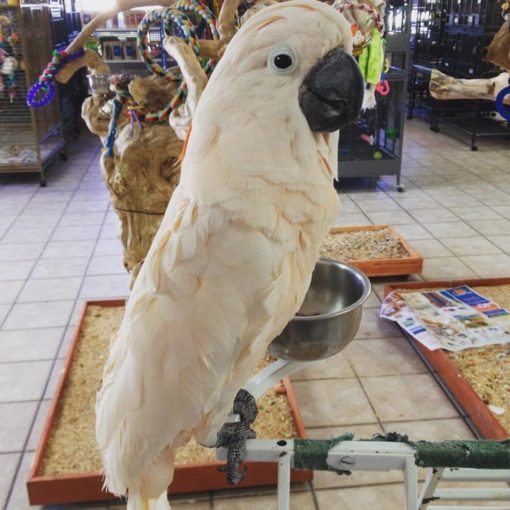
{"x": 203, "y": 300}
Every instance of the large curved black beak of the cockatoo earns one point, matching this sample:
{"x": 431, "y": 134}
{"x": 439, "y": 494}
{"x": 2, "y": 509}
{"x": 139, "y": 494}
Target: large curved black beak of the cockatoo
{"x": 332, "y": 92}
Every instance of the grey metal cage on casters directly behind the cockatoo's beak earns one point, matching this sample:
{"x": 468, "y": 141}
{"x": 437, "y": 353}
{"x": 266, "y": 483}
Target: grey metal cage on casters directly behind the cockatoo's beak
{"x": 372, "y": 145}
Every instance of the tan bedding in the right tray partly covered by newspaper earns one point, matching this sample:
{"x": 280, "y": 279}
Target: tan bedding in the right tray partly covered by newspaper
{"x": 487, "y": 369}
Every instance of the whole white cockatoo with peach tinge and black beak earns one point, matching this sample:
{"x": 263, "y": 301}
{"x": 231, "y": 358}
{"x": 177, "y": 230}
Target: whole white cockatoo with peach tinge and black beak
{"x": 233, "y": 257}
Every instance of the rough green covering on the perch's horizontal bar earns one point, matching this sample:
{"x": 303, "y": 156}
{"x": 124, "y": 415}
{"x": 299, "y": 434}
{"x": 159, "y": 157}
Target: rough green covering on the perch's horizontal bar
{"x": 476, "y": 454}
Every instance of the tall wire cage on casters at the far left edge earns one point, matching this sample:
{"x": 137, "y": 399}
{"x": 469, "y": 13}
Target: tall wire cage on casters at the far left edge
{"x": 29, "y": 139}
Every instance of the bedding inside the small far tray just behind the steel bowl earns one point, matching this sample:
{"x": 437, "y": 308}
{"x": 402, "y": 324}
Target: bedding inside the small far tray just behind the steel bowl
{"x": 363, "y": 245}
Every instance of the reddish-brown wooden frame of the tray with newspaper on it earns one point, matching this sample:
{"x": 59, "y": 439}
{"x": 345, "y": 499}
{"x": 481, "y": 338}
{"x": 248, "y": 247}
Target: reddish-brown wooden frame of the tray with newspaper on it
{"x": 488, "y": 426}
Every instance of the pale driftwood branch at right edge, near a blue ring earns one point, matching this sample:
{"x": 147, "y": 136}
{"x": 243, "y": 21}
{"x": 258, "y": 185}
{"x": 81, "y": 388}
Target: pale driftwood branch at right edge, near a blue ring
{"x": 445, "y": 87}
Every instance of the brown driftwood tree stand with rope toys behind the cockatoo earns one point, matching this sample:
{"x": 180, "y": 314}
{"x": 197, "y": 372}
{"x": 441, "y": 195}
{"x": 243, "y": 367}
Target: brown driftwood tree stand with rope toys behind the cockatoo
{"x": 144, "y": 168}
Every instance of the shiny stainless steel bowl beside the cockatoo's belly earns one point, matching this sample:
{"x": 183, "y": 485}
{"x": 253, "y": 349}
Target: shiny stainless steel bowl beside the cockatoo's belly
{"x": 329, "y": 317}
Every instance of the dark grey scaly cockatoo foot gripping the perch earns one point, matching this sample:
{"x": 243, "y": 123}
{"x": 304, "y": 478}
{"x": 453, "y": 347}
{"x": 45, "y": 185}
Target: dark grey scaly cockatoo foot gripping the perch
{"x": 233, "y": 436}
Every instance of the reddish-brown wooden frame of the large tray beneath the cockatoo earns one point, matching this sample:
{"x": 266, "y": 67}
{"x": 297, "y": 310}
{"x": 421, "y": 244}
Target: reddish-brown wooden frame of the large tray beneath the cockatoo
{"x": 87, "y": 486}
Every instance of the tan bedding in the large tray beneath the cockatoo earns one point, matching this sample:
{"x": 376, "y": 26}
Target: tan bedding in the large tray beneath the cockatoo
{"x": 72, "y": 445}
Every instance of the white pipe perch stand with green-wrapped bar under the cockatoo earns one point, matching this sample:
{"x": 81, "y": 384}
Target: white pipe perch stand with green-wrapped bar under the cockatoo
{"x": 469, "y": 461}
